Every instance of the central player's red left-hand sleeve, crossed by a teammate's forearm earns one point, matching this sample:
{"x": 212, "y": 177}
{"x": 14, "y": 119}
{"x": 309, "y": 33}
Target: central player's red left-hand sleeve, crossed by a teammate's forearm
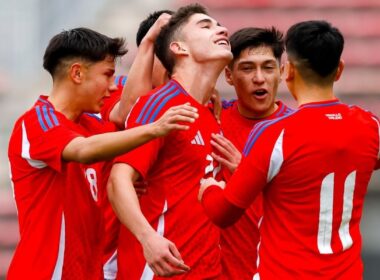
{"x": 143, "y": 157}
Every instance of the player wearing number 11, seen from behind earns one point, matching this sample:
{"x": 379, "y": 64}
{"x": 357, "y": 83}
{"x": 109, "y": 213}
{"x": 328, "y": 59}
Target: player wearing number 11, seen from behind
{"x": 313, "y": 167}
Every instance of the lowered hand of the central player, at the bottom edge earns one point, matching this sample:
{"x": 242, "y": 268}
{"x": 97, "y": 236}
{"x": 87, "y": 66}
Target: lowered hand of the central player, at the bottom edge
{"x": 162, "y": 256}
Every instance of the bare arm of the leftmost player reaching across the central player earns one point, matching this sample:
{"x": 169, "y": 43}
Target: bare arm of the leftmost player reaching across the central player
{"x": 108, "y": 145}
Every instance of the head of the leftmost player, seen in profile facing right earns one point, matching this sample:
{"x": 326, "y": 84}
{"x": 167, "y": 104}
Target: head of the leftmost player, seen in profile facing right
{"x": 84, "y": 61}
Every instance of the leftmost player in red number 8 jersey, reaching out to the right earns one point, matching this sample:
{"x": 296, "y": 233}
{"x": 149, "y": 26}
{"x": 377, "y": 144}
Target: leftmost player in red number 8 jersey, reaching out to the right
{"x": 55, "y": 151}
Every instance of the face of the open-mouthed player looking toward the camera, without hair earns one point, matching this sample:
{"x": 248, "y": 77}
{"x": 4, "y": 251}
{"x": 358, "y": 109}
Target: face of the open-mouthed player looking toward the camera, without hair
{"x": 255, "y": 75}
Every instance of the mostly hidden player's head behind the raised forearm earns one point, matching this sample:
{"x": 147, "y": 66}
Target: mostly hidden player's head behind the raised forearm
{"x": 159, "y": 73}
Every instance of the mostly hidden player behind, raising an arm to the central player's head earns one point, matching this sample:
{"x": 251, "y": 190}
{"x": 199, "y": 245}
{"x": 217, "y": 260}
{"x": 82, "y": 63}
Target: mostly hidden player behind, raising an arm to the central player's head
{"x": 146, "y": 72}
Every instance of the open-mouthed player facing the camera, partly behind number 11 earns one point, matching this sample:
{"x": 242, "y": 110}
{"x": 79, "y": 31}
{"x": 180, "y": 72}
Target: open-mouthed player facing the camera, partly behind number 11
{"x": 255, "y": 73}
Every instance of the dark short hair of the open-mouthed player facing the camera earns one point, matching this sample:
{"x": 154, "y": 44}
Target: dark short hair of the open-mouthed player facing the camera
{"x": 253, "y": 37}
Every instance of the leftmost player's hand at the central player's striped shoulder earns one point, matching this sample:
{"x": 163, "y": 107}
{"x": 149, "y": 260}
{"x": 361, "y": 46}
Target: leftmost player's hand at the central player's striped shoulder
{"x": 173, "y": 117}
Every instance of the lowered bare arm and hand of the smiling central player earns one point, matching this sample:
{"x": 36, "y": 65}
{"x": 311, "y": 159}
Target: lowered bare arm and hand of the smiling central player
{"x": 161, "y": 254}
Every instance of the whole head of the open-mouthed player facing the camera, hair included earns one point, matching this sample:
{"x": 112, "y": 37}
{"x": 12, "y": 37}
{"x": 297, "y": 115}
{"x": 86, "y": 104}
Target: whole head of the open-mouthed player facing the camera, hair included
{"x": 255, "y": 71}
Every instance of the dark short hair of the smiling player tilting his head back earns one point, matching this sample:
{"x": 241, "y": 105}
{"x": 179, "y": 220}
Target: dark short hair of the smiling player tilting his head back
{"x": 169, "y": 31}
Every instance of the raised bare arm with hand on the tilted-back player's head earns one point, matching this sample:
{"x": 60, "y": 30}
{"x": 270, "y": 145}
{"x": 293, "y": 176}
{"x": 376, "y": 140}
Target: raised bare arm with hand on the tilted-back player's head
{"x": 139, "y": 80}
